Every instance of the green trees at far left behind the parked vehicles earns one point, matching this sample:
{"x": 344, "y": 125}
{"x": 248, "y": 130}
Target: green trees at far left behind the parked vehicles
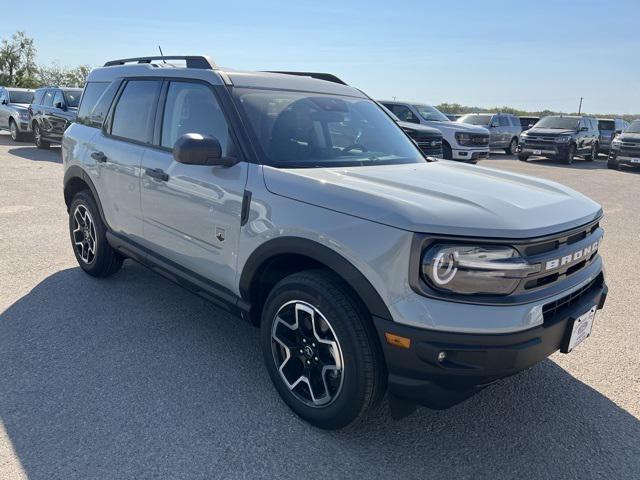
{"x": 18, "y": 67}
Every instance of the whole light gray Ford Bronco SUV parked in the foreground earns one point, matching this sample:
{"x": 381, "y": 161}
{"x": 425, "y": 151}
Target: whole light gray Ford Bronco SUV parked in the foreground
{"x": 299, "y": 204}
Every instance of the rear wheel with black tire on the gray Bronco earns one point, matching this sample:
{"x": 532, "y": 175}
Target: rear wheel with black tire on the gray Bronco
{"x": 101, "y": 260}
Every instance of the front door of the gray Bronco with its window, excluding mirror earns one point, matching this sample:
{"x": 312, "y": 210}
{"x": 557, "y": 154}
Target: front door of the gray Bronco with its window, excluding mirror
{"x": 192, "y": 213}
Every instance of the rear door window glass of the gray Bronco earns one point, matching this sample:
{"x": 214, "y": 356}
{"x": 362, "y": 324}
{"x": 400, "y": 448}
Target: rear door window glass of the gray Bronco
{"x": 133, "y": 116}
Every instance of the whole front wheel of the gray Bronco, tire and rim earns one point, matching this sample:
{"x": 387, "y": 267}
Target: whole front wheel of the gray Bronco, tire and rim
{"x": 320, "y": 349}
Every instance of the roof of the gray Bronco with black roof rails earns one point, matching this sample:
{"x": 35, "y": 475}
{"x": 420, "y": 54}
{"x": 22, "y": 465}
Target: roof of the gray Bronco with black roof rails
{"x": 203, "y": 68}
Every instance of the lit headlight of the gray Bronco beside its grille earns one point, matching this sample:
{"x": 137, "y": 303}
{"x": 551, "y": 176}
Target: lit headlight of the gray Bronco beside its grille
{"x": 474, "y": 269}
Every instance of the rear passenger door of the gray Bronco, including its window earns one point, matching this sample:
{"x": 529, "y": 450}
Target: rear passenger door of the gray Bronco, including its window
{"x": 117, "y": 153}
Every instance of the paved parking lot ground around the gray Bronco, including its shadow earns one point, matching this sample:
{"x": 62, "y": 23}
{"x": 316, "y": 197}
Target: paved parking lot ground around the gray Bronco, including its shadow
{"x": 133, "y": 377}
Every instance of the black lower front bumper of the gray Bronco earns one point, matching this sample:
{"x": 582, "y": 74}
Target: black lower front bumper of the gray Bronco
{"x": 472, "y": 361}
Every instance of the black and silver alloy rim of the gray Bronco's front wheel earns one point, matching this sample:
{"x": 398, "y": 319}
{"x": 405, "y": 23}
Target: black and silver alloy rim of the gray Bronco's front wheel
{"x": 307, "y": 353}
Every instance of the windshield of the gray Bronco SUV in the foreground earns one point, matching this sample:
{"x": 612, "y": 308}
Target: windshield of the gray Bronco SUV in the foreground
{"x": 305, "y": 130}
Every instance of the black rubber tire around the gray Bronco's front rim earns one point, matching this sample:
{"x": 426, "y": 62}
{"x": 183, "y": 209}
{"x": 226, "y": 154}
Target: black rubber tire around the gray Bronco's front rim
{"x": 363, "y": 379}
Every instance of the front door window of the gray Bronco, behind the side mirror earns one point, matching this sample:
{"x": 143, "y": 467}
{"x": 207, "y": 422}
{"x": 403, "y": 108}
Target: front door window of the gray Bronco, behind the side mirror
{"x": 193, "y": 108}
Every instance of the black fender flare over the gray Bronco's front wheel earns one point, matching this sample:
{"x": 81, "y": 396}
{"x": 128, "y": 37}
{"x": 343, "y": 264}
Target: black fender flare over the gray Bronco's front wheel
{"x": 321, "y": 254}
